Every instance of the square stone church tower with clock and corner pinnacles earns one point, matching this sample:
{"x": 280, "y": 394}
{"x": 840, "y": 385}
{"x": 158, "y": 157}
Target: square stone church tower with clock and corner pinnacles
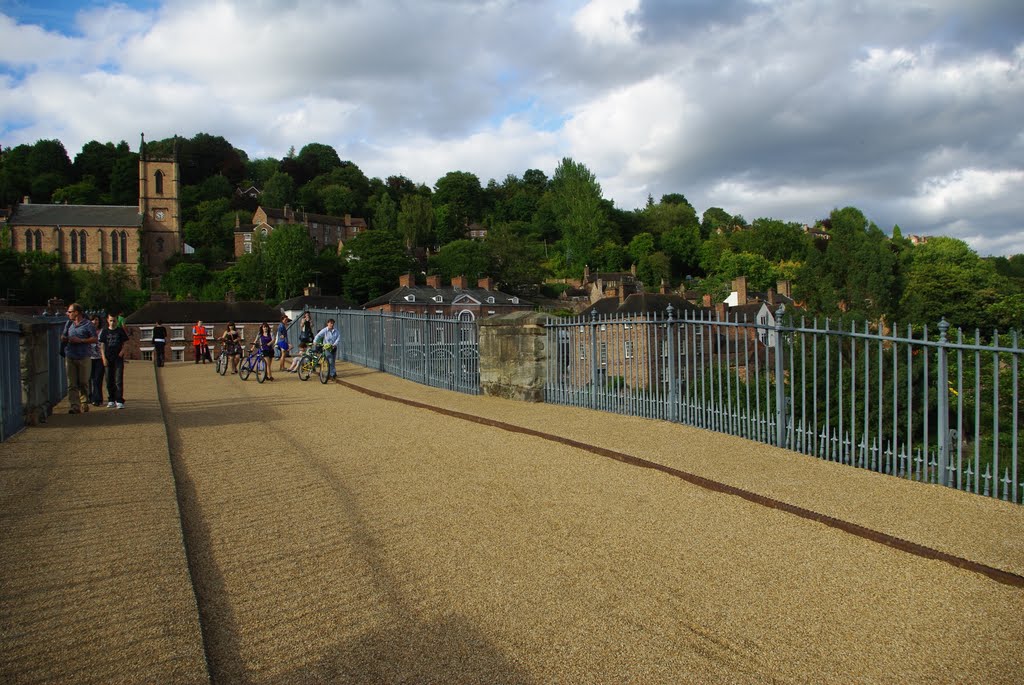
{"x": 159, "y": 187}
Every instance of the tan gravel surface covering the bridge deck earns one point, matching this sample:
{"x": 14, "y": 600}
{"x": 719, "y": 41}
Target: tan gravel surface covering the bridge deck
{"x": 335, "y": 537}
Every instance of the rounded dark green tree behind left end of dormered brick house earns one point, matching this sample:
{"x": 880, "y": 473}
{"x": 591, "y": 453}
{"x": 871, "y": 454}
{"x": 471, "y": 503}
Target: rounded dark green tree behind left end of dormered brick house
{"x": 376, "y": 260}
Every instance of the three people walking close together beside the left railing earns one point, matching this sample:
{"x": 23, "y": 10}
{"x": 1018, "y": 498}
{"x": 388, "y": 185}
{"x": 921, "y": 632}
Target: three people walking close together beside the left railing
{"x": 94, "y": 351}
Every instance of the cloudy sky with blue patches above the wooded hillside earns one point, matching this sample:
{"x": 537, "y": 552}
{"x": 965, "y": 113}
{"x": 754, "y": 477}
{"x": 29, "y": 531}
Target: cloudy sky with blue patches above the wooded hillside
{"x": 911, "y": 111}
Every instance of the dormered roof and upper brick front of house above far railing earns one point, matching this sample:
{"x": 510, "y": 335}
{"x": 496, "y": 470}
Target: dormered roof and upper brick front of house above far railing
{"x": 457, "y": 301}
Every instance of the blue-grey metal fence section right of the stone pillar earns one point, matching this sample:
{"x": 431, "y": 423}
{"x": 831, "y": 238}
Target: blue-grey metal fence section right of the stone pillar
{"x": 932, "y": 405}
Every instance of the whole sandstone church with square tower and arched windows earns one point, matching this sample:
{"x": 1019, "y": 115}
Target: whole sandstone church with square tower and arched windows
{"x": 96, "y": 237}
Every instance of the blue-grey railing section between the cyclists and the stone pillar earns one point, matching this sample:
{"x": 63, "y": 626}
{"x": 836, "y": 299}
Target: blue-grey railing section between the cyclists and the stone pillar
{"x": 434, "y": 351}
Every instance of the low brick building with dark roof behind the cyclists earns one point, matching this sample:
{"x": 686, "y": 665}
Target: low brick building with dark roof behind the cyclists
{"x": 179, "y": 318}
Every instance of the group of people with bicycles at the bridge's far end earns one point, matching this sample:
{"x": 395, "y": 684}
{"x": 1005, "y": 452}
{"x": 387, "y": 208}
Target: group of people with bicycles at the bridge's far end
{"x": 272, "y": 345}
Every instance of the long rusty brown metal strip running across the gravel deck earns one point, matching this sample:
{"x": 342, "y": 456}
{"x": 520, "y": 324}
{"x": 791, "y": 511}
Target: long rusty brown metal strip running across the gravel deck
{"x": 998, "y": 575}
